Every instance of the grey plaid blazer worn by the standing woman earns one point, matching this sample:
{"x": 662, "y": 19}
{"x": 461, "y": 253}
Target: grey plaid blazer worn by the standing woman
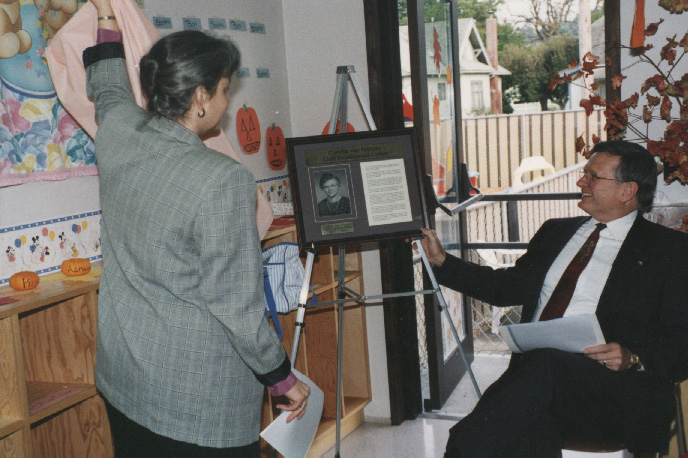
{"x": 183, "y": 343}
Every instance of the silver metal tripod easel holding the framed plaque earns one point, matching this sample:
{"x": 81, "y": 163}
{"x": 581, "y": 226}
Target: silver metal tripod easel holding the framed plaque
{"x": 339, "y": 113}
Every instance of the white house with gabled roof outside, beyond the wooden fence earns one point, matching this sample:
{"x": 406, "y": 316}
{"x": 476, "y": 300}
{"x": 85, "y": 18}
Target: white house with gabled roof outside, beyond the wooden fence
{"x": 475, "y": 66}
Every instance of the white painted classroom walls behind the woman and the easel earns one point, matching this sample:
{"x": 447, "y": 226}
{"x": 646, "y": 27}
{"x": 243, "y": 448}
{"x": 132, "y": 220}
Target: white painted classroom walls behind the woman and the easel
{"x": 305, "y": 41}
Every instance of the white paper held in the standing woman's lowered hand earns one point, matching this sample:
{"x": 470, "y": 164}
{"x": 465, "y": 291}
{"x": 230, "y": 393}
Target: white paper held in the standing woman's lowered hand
{"x": 293, "y": 439}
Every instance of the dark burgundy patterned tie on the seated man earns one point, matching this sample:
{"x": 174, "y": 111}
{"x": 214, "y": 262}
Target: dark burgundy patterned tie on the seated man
{"x": 561, "y": 296}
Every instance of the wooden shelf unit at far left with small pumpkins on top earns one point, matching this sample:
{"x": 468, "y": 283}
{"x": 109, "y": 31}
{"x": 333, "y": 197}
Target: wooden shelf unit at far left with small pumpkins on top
{"x": 48, "y": 400}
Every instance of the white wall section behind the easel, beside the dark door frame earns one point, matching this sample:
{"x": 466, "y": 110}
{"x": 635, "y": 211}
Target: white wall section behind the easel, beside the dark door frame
{"x": 319, "y": 37}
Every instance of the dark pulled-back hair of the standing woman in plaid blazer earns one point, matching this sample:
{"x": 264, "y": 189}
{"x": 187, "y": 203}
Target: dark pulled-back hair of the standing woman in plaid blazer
{"x": 179, "y": 63}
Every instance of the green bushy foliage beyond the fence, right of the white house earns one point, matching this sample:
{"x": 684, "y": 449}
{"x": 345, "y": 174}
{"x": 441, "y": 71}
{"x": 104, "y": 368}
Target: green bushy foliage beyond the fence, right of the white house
{"x": 532, "y": 68}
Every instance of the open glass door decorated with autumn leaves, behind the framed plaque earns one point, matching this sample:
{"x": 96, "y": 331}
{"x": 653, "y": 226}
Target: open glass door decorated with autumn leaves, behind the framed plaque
{"x": 431, "y": 97}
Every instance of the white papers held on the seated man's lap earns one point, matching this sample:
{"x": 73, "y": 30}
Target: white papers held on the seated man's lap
{"x": 572, "y": 333}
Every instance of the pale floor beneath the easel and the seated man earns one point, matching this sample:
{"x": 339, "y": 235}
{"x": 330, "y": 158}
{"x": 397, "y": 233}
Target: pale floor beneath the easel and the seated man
{"x": 426, "y": 436}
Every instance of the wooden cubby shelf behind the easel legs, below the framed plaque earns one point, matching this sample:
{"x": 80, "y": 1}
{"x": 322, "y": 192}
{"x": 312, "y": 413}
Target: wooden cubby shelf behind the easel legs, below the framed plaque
{"x": 317, "y": 352}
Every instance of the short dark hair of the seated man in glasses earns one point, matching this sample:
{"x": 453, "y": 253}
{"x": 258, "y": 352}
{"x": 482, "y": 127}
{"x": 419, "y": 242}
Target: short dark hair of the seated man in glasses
{"x": 637, "y": 165}
